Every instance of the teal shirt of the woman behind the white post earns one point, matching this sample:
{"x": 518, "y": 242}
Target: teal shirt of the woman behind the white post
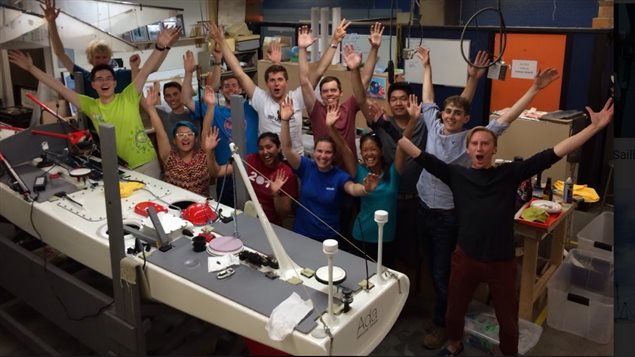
{"x": 383, "y": 198}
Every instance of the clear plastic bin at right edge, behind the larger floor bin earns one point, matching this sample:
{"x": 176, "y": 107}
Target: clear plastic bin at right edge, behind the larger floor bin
{"x": 597, "y": 236}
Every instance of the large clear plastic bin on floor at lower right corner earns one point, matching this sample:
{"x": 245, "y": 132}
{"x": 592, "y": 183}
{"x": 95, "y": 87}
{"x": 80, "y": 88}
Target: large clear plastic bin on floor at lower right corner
{"x": 580, "y": 296}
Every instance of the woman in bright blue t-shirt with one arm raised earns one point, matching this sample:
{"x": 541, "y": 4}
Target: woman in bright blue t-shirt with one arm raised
{"x": 322, "y": 184}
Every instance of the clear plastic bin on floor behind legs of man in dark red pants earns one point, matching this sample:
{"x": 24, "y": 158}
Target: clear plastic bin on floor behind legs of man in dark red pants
{"x": 481, "y": 330}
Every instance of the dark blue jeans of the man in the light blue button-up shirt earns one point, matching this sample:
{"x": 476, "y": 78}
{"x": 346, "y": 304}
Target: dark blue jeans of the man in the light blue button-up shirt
{"x": 439, "y": 234}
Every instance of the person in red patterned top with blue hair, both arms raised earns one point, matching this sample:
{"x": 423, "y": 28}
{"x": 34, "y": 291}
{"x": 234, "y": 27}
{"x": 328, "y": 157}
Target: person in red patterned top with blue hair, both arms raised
{"x": 185, "y": 164}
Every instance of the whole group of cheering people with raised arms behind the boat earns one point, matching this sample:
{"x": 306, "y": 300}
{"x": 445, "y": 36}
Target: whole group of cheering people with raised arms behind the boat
{"x": 435, "y": 179}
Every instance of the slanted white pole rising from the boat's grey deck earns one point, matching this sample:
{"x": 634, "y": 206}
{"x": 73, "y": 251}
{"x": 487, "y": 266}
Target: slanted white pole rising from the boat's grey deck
{"x": 287, "y": 266}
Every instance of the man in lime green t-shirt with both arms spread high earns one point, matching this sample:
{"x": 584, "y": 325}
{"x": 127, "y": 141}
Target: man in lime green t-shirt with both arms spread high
{"x": 121, "y": 109}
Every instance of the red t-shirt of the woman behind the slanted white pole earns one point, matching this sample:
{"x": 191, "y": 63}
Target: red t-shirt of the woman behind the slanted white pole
{"x": 262, "y": 186}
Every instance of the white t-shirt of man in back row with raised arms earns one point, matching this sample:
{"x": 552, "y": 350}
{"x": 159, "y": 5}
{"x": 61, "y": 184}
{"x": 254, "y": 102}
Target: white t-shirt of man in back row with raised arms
{"x": 268, "y": 108}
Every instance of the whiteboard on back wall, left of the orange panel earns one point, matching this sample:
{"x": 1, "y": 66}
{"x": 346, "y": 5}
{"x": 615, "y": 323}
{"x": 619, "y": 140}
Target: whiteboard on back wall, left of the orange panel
{"x": 448, "y": 66}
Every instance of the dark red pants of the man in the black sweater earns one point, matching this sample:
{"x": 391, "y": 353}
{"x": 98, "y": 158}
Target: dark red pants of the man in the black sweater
{"x": 465, "y": 275}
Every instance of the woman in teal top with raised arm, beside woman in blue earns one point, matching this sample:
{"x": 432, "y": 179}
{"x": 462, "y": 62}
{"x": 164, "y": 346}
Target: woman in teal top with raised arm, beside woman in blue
{"x": 384, "y": 197}
